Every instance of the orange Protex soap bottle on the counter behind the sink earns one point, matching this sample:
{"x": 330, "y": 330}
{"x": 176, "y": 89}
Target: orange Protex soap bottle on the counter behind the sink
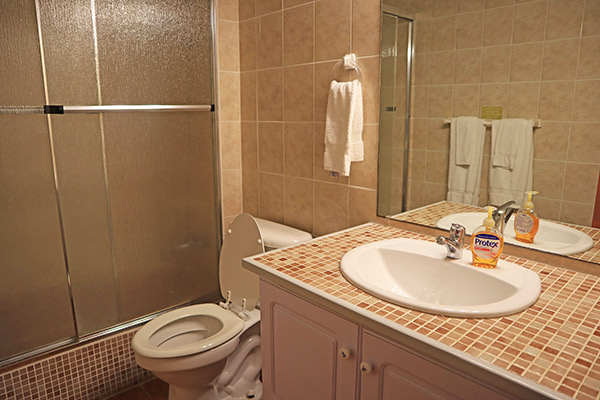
{"x": 487, "y": 243}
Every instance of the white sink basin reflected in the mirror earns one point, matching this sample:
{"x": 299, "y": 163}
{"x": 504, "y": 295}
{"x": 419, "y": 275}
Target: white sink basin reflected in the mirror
{"x": 551, "y": 237}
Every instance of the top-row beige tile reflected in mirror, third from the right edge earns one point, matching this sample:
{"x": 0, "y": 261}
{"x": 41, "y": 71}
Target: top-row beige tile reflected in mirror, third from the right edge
{"x": 529, "y": 22}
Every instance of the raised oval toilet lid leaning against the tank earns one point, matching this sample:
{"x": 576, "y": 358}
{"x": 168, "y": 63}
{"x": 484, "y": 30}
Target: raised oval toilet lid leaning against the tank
{"x": 243, "y": 239}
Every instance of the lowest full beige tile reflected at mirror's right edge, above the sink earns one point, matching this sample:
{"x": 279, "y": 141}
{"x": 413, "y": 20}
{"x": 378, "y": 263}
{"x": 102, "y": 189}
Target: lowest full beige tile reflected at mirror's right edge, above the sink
{"x": 579, "y": 177}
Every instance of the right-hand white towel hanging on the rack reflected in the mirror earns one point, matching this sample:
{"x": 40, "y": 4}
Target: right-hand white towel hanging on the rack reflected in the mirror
{"x": 511, "y": 166}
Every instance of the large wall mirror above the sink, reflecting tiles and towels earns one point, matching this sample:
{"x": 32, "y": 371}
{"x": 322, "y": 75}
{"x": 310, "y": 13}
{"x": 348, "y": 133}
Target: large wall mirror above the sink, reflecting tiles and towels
{"x": 442, "y": 59}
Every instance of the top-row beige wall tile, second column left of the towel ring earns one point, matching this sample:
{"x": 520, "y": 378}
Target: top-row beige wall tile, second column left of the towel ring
{"x": 298, "y": 27}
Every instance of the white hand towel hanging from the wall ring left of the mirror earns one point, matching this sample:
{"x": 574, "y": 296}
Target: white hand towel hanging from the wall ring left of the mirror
{"x": 343, "y": 127}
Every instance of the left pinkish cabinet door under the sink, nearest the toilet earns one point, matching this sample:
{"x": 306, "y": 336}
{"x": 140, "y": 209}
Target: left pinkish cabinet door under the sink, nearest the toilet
{"x": 302, "y": 346}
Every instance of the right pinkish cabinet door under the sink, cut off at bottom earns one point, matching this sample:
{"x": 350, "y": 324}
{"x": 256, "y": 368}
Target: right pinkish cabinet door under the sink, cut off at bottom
{"x": 397, "y": 374}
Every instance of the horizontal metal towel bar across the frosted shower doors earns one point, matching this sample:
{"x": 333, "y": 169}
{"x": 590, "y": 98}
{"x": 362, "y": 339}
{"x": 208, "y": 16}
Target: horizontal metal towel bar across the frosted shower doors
{"x": 60, "y": 109}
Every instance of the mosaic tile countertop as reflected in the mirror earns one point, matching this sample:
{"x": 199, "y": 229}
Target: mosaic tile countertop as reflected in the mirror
{"x": 429, "y": 216}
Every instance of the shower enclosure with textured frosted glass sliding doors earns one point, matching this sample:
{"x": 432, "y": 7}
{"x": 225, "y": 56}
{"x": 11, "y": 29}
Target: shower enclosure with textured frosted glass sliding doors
{"x": 104, "y": 217}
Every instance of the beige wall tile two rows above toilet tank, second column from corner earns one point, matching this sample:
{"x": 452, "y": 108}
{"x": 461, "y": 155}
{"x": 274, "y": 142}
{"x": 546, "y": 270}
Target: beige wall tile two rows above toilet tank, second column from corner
{"x": 270, "y": 147}
